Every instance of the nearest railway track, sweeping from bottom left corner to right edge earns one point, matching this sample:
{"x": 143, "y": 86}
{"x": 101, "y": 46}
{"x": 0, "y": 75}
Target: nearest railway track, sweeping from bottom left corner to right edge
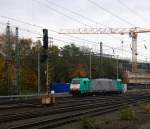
{"x": 69, "y": 113}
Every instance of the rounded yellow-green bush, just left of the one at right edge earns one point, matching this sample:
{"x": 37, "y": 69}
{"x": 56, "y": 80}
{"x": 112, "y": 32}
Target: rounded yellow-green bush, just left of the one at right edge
{"x": 127, "y": 113}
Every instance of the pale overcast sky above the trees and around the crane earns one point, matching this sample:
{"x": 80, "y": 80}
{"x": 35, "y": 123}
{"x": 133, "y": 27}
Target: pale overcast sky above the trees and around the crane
{"x": 62, "y": 14}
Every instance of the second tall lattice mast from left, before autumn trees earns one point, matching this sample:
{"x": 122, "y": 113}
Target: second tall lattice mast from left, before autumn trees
{"x": 17, "y": 57}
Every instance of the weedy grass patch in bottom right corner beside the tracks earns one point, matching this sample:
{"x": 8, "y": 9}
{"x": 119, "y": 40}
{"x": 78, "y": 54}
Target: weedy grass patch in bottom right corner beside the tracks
{"x": 128, "y": 118}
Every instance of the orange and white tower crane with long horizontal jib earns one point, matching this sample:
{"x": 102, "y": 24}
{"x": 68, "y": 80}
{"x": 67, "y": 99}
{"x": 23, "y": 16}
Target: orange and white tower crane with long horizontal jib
{"x": 133, "y": 33}
